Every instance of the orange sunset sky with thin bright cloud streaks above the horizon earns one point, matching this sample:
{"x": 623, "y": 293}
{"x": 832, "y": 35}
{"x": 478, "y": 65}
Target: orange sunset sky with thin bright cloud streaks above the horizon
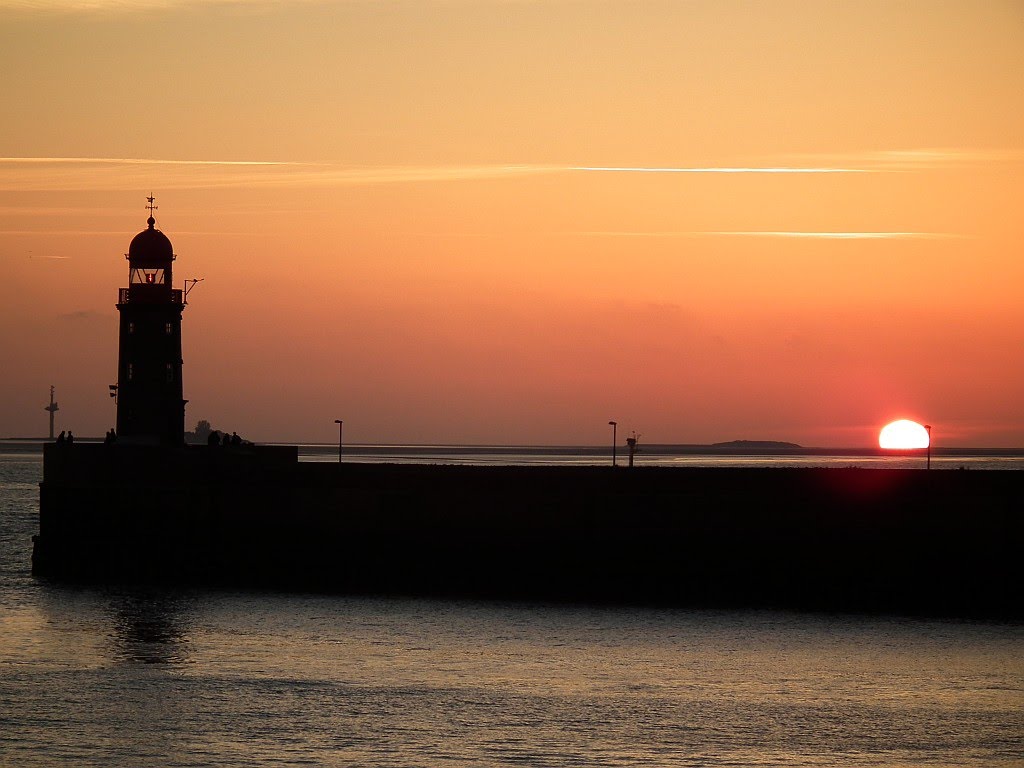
{"x": 508, "y": 222}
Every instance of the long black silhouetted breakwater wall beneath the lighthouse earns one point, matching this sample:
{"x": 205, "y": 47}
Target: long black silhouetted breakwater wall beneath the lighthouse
{"x": 914, "y": 542}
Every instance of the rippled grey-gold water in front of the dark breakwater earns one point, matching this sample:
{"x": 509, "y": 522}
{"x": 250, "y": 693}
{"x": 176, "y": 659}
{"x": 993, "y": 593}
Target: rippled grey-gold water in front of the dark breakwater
{"x": 112, "y": 677}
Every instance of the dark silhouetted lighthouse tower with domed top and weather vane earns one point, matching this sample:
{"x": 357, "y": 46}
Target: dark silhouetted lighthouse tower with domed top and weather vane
{"x": 151, "y": 408}
